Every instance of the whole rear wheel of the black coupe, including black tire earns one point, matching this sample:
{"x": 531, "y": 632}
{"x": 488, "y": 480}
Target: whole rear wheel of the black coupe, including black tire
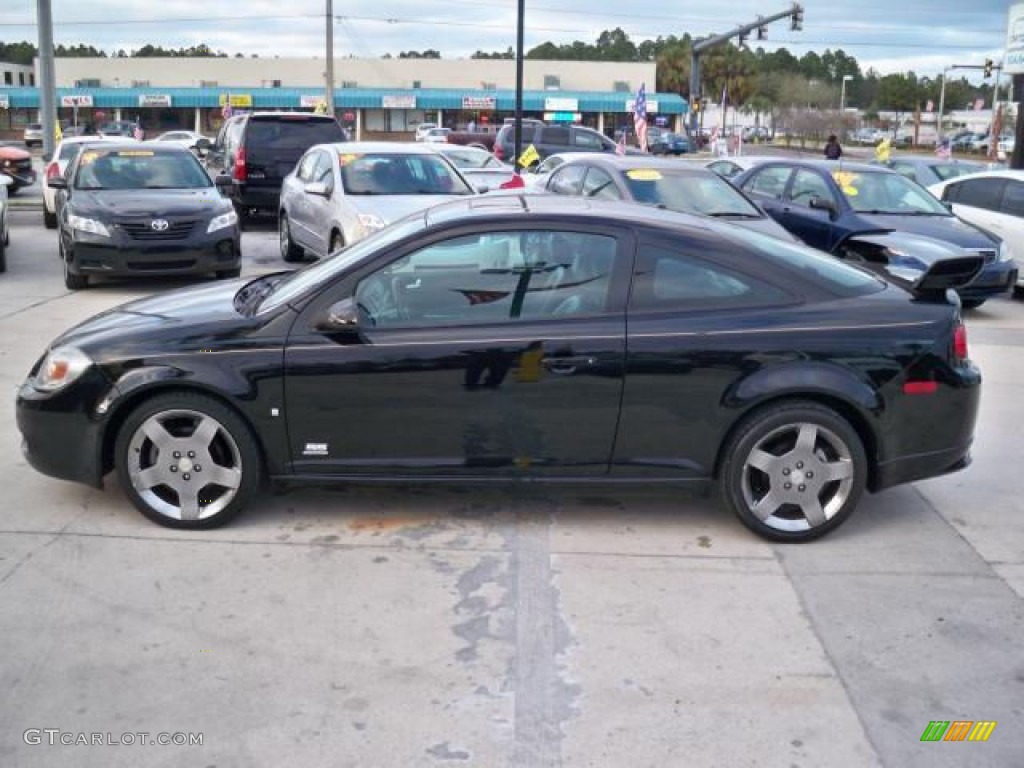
{"x": 823, "y": 442}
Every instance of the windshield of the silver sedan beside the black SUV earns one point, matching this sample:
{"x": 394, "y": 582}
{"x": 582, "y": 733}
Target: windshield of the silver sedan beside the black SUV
{"x": 394, "y": 174}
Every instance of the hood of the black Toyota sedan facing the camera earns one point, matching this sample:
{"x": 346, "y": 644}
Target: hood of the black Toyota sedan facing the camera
{"x": 153, "y": 203}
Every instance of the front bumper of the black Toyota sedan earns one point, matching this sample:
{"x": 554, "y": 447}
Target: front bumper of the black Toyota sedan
{"x": 119, "y": 254}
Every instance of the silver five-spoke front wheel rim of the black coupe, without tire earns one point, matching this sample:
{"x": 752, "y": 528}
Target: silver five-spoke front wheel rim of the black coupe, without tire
{"x": 185, "y": 464}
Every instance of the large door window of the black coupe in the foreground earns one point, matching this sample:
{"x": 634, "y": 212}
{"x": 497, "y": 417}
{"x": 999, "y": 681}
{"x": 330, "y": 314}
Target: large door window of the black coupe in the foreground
{"x": 490, "y": 278}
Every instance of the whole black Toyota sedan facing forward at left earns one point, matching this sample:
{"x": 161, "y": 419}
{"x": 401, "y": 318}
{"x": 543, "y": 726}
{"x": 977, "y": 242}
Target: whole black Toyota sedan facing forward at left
{"x": 143, "y": 209}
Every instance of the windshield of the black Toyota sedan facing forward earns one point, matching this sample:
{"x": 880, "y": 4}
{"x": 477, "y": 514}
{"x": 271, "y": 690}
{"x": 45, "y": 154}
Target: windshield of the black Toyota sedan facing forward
{"x": 140, "y": 169}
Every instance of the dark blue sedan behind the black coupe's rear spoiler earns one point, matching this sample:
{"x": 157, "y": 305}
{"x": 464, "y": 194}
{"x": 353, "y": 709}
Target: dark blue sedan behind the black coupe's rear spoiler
{"x": 874, "y": 216}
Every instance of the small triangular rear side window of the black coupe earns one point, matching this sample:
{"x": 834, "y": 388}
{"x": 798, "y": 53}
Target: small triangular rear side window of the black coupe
{"x": 668, "y": 279}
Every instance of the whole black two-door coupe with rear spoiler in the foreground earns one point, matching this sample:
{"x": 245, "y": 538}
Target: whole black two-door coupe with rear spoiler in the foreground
{"x": 523, "y": 337}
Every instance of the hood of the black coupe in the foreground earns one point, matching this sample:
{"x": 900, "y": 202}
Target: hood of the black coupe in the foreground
{"x": 113, "y": 334}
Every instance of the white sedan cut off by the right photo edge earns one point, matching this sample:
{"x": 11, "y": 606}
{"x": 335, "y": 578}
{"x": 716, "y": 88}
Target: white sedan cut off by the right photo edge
{"x": 992, "y": 200}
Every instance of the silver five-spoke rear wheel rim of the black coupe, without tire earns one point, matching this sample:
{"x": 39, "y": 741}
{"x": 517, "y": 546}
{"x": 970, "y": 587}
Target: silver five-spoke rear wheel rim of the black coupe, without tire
{"x": 798, "y": 478}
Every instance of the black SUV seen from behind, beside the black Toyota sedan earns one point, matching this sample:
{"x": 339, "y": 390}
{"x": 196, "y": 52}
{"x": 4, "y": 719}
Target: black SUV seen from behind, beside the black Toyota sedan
{"x": 259, "y": 150}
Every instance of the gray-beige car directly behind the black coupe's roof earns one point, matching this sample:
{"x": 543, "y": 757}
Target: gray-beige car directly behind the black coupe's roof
{"x": 665, "y": 184}
